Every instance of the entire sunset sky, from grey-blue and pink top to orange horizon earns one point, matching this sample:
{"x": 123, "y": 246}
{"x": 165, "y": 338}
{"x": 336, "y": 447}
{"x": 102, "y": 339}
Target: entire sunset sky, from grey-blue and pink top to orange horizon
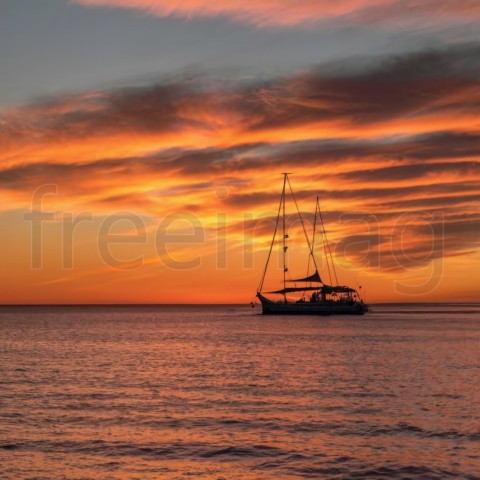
{"x": 142, "y": 146}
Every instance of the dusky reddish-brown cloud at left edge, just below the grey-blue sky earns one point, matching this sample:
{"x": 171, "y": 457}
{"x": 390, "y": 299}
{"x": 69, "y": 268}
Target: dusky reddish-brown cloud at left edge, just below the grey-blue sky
{"x": 158, "y": 108}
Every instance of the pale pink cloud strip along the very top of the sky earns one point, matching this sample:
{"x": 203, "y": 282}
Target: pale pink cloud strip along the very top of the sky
{"x": 287, "y": 13}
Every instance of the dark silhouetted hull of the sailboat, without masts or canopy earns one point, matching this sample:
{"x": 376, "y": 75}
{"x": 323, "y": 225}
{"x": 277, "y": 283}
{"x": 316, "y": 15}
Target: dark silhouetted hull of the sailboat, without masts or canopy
{"x": 310, "y": 308}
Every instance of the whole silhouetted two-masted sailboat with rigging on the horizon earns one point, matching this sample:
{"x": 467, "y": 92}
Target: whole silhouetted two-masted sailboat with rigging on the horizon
{"x": 315, "y": 296}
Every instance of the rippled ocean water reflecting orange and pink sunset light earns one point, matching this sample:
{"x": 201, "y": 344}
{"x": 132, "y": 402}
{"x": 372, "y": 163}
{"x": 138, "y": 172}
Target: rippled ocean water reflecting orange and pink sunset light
{"x": 224, "y": 393}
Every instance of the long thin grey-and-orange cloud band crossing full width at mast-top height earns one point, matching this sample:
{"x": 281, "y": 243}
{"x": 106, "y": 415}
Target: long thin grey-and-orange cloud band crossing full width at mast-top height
{"x": 417, "y": 156}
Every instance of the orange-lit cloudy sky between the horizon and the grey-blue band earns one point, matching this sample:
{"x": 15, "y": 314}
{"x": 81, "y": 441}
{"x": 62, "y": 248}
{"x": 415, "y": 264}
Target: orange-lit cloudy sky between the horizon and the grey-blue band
{"x": 165, "y": 192}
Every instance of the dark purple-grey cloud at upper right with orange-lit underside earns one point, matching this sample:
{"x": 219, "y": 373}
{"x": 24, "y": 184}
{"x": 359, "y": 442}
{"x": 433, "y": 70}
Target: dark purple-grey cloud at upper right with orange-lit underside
{"x": 406, "y": 86}
